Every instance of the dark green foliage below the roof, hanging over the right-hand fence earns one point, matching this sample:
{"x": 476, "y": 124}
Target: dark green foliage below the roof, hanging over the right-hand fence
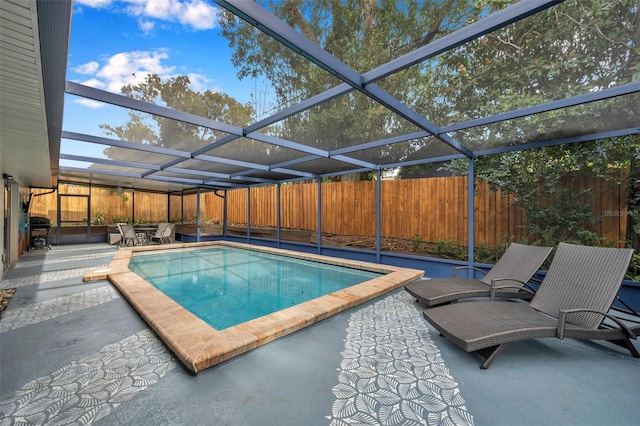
{"x": 545, "y": 183}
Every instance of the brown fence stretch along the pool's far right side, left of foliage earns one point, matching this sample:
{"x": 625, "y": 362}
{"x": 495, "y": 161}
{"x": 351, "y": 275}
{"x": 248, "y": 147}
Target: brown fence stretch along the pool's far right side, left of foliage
{"x": 433, "y": 209}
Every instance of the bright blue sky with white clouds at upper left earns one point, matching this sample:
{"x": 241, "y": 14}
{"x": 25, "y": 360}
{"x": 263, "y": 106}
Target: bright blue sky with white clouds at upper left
{"x": 118, "y": 42}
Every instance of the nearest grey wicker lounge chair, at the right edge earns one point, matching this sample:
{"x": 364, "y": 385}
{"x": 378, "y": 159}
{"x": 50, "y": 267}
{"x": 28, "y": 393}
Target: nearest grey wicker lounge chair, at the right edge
{"x": 573, "y": 300}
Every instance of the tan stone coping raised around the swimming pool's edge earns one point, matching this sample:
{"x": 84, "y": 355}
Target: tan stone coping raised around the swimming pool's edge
{"x": 199, "y": 345}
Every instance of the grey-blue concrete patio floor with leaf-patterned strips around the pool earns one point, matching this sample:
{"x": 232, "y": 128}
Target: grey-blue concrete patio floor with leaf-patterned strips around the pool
{"x": 77, "y": 353}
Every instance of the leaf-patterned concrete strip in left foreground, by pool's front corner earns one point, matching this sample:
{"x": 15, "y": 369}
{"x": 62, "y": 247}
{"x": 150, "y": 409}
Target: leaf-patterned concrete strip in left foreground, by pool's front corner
{"x": 89, "y": 389}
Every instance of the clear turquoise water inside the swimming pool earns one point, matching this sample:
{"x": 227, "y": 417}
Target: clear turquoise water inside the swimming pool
{"x": 226, "y": 286}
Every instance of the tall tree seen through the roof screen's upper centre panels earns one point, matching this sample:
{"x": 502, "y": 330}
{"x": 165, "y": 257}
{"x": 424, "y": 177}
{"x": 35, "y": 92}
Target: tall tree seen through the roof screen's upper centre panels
{"x": 363, "y": 34}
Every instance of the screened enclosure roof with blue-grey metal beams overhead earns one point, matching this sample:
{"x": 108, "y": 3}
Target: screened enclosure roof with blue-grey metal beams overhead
{"x": 290, "y": 90}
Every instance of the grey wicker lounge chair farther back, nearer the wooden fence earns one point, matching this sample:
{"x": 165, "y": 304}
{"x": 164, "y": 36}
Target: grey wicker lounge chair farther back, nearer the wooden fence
{"x": 516, "y": 267}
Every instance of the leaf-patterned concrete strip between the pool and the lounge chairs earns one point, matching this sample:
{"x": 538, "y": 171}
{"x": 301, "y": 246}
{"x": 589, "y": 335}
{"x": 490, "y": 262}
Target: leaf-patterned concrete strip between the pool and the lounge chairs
{"x": 392, "y": 372}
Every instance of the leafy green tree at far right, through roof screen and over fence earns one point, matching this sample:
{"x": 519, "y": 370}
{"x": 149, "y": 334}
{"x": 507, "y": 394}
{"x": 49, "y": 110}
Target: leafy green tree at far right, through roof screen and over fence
{"x": 580, "y": 47}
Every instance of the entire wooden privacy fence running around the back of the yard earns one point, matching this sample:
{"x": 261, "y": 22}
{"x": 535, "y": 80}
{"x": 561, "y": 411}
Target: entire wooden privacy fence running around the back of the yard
{"x": 431, "y": 208}
